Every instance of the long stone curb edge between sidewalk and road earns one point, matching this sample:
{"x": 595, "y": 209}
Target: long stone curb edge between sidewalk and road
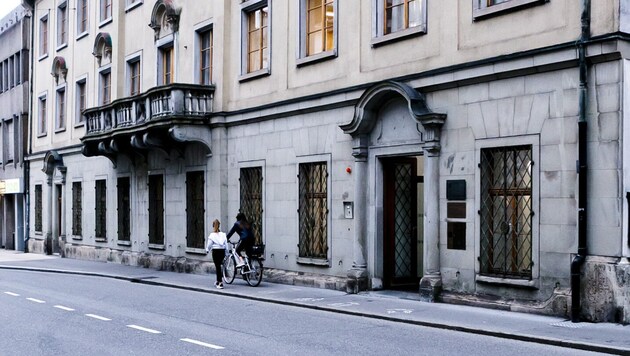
{"x": 520, "y": 337}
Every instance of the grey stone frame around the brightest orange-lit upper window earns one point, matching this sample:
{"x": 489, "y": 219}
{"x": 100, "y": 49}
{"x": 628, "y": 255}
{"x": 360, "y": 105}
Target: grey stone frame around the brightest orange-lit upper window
{"x": 303, "y": 57}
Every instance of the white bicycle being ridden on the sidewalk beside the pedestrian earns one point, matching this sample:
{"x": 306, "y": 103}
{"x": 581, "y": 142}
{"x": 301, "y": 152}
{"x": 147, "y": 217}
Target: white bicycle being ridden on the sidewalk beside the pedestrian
{"x": 252, "y": 271}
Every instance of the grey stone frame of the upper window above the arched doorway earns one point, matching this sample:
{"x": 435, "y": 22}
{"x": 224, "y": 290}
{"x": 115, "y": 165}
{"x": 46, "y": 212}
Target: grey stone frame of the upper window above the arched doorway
{"x": 378, "y": 25}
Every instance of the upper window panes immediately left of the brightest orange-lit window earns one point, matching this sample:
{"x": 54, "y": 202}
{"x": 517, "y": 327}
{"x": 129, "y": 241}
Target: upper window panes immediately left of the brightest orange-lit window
{"x": 256, "y": 36}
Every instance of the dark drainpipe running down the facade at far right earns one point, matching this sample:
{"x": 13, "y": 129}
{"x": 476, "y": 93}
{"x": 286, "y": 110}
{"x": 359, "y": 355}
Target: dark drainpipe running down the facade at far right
{"x": 579, "y": 259}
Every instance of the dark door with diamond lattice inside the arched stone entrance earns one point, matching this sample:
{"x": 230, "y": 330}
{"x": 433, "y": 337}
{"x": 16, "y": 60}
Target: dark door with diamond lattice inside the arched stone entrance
{"x": 400, "y": 222}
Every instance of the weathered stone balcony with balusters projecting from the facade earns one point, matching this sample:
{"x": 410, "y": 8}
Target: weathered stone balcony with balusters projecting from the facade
{"x": 163, "y": 118}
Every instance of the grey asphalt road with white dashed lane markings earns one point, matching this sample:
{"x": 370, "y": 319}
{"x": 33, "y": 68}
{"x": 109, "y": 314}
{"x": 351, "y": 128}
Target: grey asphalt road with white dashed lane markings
{"x": 53, "y": 314}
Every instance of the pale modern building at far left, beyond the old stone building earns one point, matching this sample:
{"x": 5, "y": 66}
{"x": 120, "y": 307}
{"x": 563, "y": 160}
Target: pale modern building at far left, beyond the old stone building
{"x": 14, "y": 93}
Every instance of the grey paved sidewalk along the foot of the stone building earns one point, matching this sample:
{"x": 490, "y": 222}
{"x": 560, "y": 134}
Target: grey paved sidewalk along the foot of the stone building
{"x": 386, "y": 305}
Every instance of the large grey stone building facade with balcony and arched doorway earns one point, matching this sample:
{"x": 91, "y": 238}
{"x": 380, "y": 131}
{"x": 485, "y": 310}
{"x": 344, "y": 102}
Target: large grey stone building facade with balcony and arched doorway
{"x": 428, "y": 146}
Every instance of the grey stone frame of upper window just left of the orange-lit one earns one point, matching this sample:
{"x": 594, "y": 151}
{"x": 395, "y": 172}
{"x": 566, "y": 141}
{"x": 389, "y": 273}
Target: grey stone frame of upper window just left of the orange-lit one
{"x": 247, "y": 8}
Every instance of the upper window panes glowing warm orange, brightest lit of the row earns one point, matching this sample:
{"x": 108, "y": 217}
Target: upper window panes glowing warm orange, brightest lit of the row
{"x": 318, "y": 26}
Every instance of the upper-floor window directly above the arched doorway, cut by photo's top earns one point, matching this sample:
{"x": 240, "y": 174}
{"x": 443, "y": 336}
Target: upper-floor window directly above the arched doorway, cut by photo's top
{"x": 399, "y": 18}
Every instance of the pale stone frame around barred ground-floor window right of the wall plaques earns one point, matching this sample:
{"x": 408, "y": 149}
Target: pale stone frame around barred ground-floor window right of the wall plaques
{"x": 534, "y": 142}
